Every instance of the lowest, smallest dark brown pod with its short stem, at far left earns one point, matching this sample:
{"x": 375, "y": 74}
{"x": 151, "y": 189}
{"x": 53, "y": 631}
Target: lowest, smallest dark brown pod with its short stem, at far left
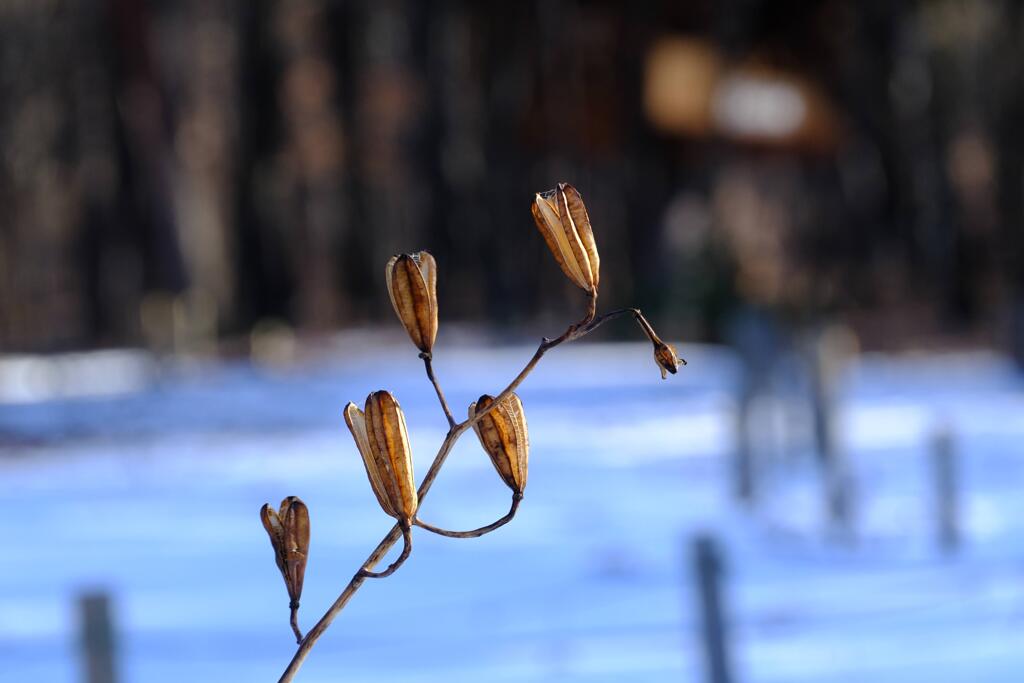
{"x": 289, "y": 532}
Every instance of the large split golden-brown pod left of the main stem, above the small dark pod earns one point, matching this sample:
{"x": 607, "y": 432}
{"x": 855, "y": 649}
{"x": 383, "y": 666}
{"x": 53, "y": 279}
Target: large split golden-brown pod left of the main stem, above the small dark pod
{"x": 383, "y": 442}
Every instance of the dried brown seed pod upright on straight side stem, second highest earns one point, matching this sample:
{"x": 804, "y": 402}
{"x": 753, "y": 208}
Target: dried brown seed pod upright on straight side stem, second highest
{"x": 412, "y": 284}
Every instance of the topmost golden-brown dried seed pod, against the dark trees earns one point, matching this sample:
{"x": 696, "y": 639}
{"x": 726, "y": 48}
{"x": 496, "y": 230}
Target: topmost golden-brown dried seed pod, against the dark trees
{"x": 563, "y": 220}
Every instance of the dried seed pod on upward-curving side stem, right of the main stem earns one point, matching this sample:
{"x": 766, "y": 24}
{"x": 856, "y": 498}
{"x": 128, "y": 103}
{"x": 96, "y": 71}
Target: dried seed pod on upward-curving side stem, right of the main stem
{"x": 503, "y": 435}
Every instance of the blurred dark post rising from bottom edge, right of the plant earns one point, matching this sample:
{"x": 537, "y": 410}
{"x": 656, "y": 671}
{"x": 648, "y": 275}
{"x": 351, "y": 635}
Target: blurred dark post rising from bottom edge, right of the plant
{"x": 708, "y": 574}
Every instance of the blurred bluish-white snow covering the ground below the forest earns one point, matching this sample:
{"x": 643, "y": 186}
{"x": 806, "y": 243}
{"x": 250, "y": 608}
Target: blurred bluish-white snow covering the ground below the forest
{"x": 152, "y": 493}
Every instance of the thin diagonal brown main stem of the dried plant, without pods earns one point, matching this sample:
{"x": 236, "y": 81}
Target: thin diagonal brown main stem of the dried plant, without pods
{"x": 590, "y": 323}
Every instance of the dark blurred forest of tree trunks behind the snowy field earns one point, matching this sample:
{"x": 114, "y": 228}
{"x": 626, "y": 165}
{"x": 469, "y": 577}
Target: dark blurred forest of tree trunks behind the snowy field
{"x": 179, "y": 175}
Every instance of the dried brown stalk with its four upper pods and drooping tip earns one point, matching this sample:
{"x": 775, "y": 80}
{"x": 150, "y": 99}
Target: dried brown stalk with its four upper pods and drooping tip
{"x": 499, "y": 421}
